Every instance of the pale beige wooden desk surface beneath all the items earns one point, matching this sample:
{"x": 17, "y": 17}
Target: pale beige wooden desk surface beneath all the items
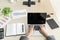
{"x": 43, "y": 6}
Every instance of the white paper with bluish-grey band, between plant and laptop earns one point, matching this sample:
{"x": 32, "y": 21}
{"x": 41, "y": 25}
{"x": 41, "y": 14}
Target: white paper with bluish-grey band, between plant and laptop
{"x": 19, "y": 13}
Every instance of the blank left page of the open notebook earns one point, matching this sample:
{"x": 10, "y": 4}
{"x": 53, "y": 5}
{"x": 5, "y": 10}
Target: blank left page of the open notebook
{"x": 11, "y": 29}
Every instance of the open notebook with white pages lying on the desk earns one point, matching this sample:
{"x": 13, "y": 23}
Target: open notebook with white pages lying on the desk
{"x": 15, "y": 29}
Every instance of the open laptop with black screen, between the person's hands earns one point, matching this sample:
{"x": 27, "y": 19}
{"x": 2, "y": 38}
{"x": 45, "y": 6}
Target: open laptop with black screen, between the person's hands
{"x": 36, "y": 19}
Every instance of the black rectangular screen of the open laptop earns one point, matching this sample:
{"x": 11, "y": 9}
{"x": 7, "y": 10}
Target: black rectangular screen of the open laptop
{"x": 36, "y": 18}
